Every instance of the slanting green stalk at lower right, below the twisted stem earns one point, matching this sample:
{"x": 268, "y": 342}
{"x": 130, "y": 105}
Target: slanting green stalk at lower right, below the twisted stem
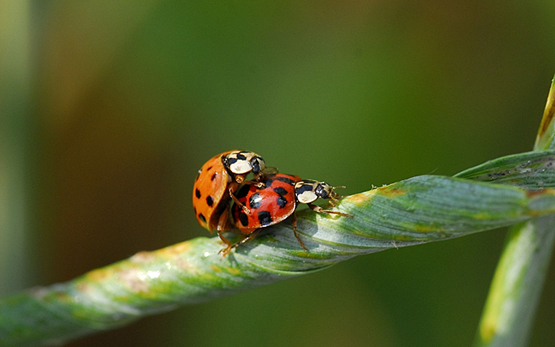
{"x": 517, "y": 284}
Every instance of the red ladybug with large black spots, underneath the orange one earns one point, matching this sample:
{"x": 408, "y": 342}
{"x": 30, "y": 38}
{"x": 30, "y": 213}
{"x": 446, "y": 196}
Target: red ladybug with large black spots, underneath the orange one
{"x": 275, "y": 202}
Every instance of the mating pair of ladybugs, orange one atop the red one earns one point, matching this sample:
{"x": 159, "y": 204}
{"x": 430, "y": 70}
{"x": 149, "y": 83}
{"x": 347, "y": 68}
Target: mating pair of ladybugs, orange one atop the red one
{"x": 266, "y": 200}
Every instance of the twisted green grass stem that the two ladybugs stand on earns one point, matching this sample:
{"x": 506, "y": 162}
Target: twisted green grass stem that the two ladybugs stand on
{"x": 411, "y": 212}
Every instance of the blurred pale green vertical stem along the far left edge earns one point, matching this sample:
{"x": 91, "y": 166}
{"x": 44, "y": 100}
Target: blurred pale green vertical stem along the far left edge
{"x": 17, "y": 153}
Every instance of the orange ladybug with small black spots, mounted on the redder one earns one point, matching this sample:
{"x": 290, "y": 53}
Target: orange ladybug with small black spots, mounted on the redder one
{"x": 217, "y": 181}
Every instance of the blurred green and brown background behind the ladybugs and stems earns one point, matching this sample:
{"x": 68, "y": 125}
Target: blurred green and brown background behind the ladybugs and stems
{"x": 109, "y": 108}
